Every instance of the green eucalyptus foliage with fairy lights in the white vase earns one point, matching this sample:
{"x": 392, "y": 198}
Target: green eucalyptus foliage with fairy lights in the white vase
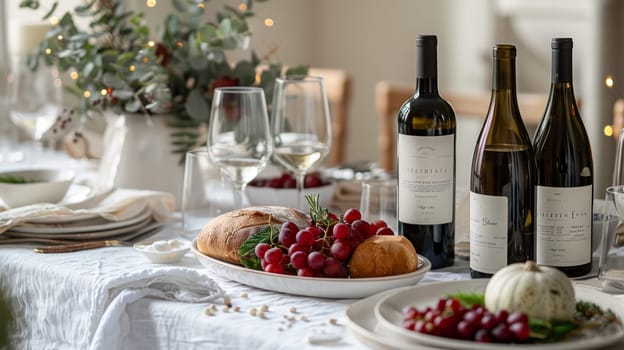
{"x": 125, "y": 68}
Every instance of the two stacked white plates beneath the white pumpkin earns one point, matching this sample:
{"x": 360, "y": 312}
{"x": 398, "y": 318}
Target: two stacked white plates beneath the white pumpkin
{"x": 376, "y": 321}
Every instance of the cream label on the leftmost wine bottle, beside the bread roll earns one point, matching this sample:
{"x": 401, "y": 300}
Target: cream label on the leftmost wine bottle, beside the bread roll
{"x": 426, "y": 179}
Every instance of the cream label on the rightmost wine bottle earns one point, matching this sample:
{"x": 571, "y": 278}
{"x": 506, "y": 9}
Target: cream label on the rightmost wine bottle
{"x": 563, "y": 225}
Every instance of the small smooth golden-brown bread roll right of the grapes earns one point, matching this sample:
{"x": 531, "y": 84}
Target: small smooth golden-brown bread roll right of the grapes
{"x": 383, "y": 256}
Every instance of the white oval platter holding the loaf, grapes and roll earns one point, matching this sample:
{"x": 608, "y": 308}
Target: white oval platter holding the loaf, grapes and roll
{"x": 311, "y": 286}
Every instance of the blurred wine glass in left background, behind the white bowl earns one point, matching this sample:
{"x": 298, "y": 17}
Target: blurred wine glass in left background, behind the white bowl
{"x": 34, "y": 99}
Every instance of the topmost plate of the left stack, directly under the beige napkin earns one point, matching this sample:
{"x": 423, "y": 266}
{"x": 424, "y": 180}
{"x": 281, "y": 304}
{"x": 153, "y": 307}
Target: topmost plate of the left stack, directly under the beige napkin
{"x": 88, "y": 225}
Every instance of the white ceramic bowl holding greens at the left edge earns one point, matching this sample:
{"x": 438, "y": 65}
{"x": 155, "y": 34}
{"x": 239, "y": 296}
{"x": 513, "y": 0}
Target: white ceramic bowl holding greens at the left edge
{"x": 43, "y": 186}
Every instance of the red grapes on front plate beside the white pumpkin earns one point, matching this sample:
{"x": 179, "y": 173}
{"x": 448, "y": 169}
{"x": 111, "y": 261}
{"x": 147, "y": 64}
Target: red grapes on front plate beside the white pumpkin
{"x": 452, "y": 320}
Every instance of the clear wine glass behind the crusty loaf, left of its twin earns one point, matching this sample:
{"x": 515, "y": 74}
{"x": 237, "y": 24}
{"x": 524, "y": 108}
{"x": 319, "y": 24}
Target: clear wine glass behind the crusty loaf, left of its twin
{"x": 239, "y": 141}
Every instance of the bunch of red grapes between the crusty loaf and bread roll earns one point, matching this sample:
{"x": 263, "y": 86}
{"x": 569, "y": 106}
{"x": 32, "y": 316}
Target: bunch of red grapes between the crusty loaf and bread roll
{"x": 316, "y": 251}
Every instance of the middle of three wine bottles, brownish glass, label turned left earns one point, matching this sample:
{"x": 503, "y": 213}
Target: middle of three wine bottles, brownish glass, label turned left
{"x": 502, "y": 178}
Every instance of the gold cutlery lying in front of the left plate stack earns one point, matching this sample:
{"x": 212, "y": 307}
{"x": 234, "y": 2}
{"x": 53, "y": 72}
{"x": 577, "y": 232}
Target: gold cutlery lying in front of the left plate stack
{"x": 126, "y": 240}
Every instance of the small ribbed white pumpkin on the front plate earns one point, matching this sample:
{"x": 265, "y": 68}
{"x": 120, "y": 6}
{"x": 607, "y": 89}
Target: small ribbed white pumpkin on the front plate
{"x": 539, "y": 291}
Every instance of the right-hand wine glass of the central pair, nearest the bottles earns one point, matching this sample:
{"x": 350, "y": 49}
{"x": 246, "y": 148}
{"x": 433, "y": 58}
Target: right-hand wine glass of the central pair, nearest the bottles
{"x": 300, "y": 125}
